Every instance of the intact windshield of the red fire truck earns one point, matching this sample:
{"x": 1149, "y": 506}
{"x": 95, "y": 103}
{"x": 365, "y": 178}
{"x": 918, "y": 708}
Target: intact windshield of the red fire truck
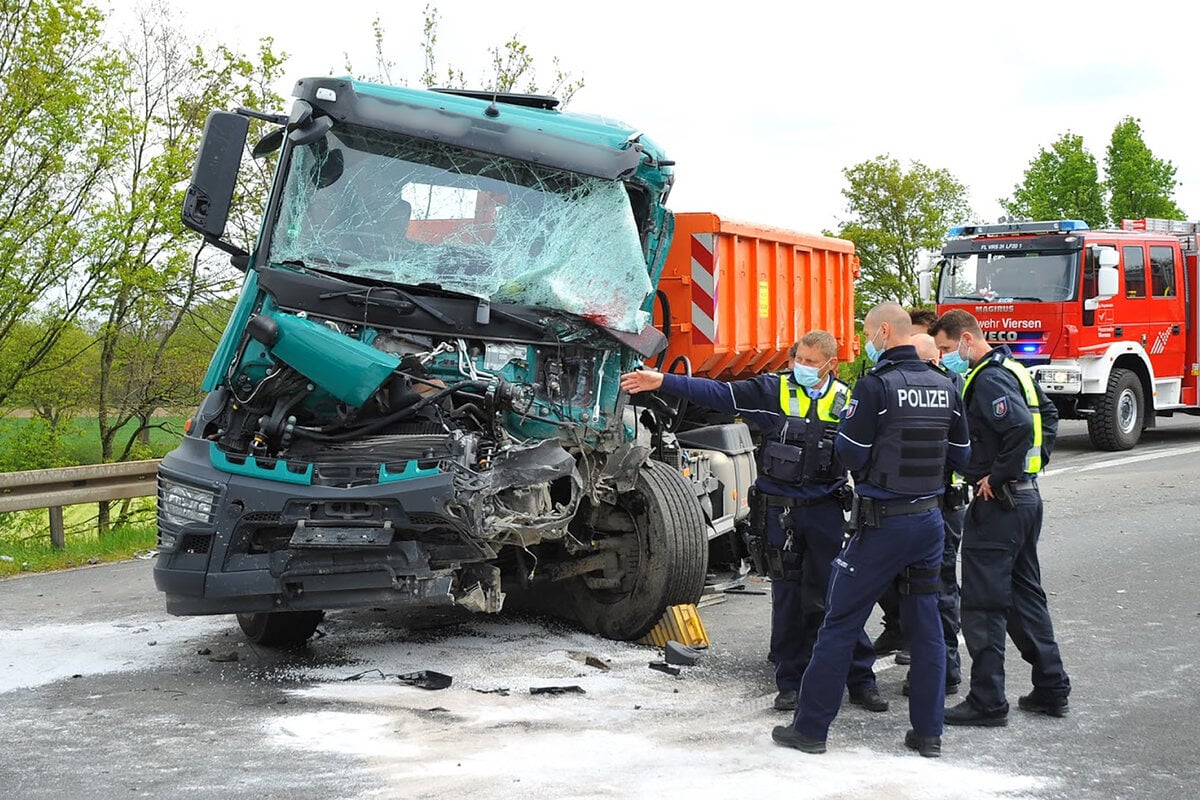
{"x": 1023, "y": 276}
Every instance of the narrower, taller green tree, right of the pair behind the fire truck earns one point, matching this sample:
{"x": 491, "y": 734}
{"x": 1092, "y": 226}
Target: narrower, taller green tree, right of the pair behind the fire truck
{"x": 1139, "y": 184}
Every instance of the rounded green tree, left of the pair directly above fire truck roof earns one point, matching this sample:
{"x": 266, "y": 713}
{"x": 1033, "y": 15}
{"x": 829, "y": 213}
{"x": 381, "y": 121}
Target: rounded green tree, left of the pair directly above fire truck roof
{"x": 1060, "y": 184}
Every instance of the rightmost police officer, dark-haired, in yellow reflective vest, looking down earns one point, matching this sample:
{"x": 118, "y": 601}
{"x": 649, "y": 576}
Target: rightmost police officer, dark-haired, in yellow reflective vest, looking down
{"x": 1013, "y": 426}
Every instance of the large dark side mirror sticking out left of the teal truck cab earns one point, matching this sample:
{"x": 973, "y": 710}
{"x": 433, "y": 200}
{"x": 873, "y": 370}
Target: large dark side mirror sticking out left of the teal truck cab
{"x": 215, "y": 176}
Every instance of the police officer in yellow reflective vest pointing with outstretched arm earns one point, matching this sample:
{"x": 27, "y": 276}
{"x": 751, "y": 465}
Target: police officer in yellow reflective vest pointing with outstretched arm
{"x": 799, "y": 501}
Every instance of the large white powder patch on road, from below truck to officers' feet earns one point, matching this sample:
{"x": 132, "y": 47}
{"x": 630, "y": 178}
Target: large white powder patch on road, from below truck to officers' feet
{"x": 632, "y": 736}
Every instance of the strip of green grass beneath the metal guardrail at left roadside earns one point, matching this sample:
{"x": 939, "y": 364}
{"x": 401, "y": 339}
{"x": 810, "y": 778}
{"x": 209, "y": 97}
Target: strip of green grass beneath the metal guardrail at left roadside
{"x": 26, "y": 538}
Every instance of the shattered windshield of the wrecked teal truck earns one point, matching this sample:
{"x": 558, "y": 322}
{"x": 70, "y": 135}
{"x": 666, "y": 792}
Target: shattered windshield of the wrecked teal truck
{"x": 375, "y": 206}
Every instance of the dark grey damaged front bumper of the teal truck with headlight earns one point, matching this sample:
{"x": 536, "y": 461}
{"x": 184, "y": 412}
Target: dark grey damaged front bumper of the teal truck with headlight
{"x": 241, "y": 544}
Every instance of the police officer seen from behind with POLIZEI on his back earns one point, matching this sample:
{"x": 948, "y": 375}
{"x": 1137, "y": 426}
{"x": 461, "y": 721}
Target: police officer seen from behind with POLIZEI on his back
{"x": 903, "y": 429}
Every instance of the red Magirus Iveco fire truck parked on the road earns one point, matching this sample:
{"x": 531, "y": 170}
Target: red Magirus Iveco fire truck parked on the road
{"x": 1105, "y": 320}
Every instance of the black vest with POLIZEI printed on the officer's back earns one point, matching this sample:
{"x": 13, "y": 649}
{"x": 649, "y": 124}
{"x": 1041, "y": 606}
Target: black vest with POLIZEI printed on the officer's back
{"x": 909, "y": 453}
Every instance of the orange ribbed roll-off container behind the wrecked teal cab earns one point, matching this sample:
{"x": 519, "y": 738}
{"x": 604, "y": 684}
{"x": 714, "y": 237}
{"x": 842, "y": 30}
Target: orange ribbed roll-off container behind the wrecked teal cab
{"x": 741, "y": 294}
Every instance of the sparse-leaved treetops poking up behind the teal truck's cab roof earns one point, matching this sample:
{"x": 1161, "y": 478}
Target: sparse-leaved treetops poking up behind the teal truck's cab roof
{"x": 513, "y": 67}
